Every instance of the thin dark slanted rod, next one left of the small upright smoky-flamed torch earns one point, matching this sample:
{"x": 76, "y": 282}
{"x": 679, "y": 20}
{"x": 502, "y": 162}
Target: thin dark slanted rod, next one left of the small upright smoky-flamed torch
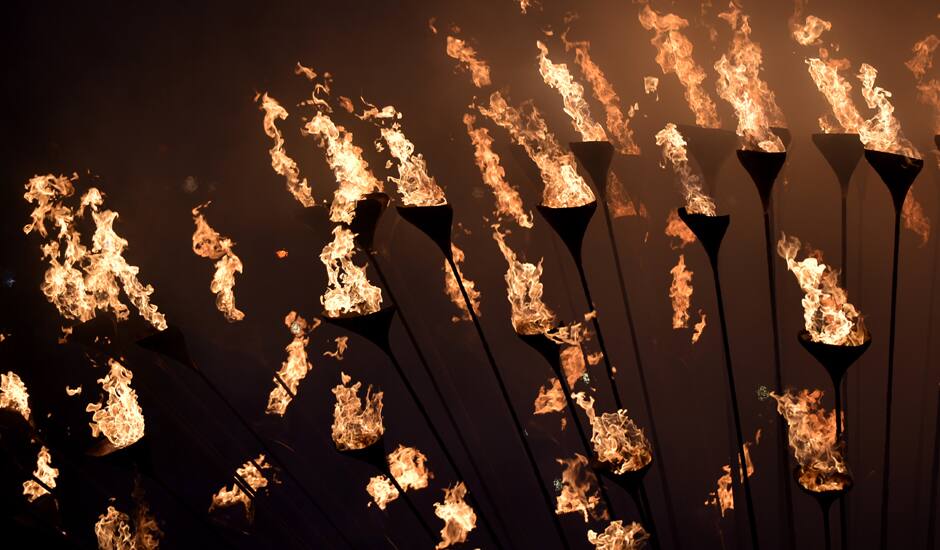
{"x": 663, "y": 478}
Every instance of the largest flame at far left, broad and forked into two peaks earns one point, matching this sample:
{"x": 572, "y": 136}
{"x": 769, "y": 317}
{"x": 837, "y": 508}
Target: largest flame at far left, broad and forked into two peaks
{"x": 85, "y": 280}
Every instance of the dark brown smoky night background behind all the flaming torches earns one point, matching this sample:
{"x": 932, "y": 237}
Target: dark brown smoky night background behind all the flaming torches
{"x": 146, "y": 96}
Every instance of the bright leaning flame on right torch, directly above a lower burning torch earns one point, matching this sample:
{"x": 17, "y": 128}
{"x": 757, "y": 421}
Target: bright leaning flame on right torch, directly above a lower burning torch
{"x": 827, "y": 315}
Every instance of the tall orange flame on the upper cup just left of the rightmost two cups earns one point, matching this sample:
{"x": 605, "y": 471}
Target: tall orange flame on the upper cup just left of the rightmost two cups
{"x": 739, "y": 83}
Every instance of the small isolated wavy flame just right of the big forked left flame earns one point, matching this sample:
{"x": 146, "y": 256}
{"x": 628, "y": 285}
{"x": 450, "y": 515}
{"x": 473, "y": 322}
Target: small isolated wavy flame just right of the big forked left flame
{"x": 209, "y": 244}
